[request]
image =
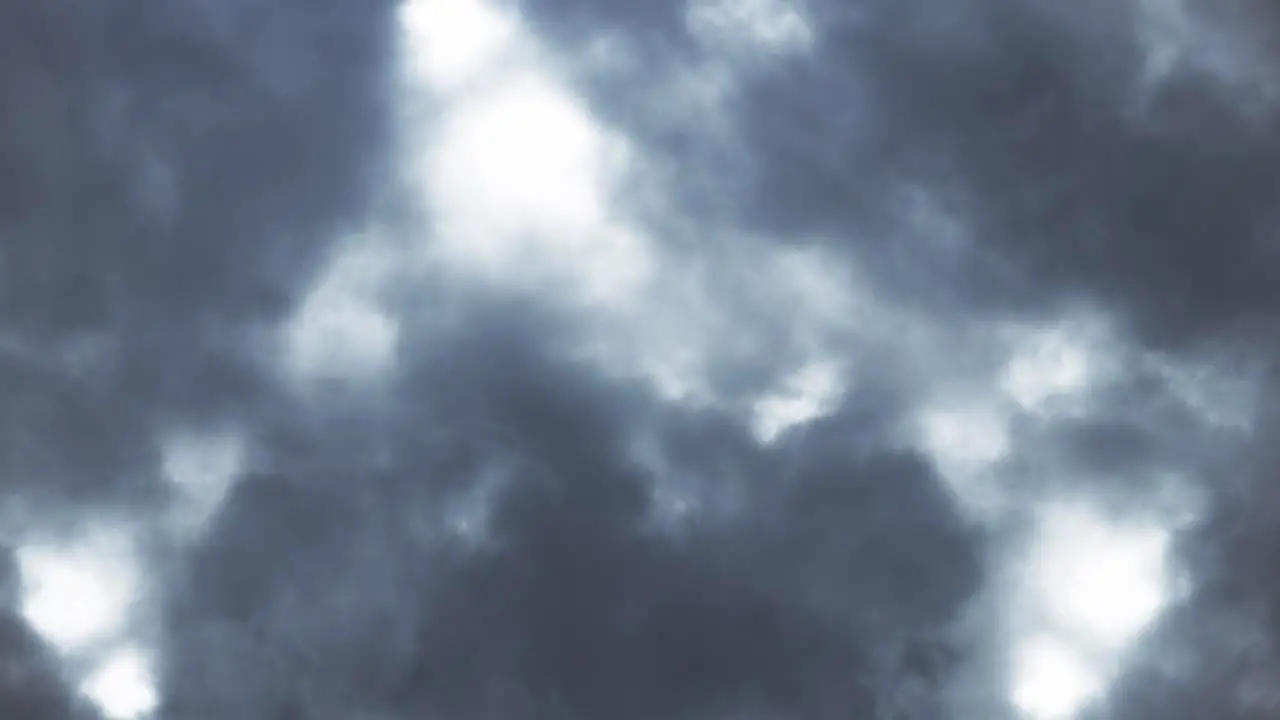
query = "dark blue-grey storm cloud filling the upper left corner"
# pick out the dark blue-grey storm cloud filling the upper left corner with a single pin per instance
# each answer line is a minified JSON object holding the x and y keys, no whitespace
{"x":171,"y":174}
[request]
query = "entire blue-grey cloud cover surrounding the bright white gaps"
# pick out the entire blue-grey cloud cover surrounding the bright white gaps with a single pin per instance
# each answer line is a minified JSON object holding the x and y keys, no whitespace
{"x":497,"y":528}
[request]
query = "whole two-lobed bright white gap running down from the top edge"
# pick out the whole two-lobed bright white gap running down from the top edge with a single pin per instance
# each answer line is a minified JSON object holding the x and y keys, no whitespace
{"x":514,"y":171}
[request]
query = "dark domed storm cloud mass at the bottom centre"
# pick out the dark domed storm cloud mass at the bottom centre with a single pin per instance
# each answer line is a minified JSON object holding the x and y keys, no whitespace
{"x":575,"y":593}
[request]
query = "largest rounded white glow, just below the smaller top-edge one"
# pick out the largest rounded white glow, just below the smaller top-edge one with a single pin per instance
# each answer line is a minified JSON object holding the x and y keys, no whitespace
{"x":519,"y":181}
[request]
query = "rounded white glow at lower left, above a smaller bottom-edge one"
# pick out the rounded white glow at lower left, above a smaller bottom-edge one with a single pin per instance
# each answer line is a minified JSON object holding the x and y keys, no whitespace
{"x":77,"y":595}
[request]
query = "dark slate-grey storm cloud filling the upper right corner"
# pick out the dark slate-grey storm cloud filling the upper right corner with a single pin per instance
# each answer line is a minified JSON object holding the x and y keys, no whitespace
{"x":1069,"y":167}
